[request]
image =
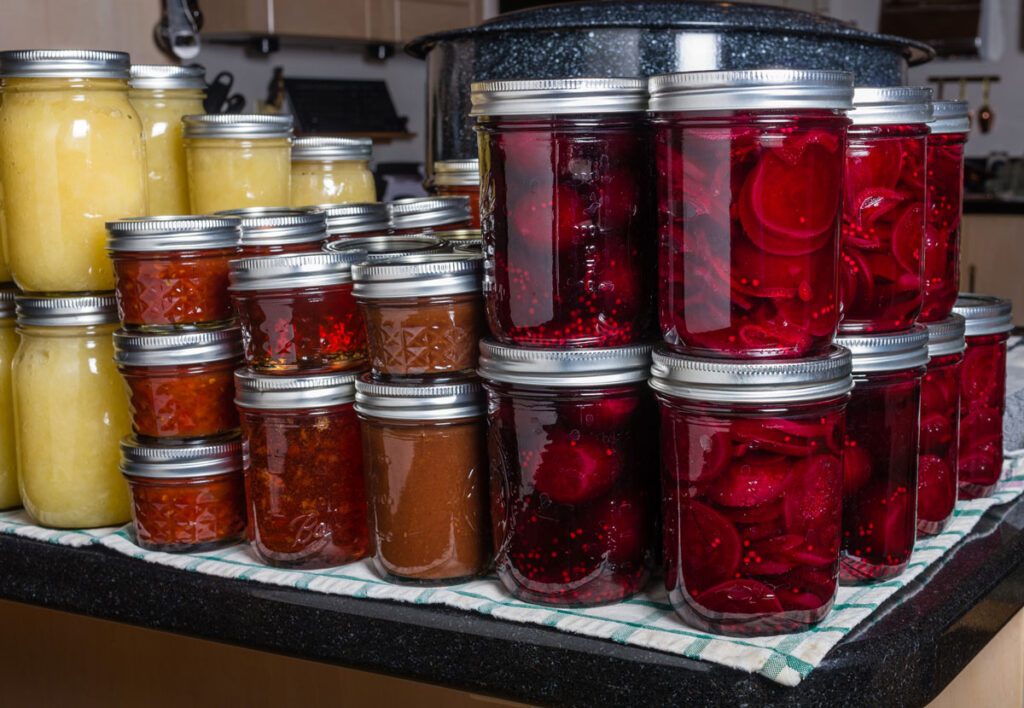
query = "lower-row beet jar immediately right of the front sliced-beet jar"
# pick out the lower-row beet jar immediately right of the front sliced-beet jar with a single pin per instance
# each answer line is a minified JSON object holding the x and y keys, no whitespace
{"x":880,"y":464}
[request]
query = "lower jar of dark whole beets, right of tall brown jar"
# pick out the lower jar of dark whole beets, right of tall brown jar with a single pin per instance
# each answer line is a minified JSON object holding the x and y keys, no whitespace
{"x":574,"y":493}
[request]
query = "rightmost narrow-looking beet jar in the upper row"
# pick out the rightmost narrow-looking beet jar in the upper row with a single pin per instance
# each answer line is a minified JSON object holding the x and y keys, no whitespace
{"x":945,"y":207}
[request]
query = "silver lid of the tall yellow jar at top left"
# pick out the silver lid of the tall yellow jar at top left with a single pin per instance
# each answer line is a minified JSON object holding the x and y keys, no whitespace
{"x":59,"y":64}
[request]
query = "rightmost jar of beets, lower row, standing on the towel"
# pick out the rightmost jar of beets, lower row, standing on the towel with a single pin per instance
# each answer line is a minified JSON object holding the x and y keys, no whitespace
{"x":984,"y":392}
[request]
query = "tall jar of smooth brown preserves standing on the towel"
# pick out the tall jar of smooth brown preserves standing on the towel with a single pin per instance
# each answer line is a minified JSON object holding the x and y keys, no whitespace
{"x":425,"y":454}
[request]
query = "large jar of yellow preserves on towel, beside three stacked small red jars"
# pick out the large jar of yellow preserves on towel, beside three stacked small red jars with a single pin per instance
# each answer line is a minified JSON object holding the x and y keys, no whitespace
{"x":70,"y":412}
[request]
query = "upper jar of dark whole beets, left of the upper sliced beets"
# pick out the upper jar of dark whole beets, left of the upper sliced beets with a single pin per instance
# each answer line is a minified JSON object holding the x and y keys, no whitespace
{"x":564,"y":209}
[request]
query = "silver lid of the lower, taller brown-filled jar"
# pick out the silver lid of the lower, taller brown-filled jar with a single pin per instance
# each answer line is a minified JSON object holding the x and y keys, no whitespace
{"x":398,"y":401}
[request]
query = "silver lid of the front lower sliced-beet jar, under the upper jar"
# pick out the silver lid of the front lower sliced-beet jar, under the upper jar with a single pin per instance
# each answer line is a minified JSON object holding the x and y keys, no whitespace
{"x":752,"y":381}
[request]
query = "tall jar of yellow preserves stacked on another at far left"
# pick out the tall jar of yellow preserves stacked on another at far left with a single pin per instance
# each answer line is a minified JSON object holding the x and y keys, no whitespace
{"x":71,"y":159}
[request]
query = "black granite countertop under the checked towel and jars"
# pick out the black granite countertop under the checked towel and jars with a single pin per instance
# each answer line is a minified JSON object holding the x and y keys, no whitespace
{"x":913,"y":647}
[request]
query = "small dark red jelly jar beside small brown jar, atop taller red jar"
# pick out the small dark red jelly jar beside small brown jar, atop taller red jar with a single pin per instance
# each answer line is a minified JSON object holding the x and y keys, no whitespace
{"x":298,"y":314}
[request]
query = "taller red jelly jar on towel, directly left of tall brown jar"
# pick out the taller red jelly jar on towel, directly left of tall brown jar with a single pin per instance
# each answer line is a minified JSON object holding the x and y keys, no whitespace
{"x":304,"y":465}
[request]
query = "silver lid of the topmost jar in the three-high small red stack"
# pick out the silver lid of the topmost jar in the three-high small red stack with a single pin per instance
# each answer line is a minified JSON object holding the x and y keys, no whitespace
{"x":161,"y":234}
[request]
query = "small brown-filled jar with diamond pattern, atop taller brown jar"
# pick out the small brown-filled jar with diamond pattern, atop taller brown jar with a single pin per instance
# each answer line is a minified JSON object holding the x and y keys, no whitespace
{"x":424,"y":314}
